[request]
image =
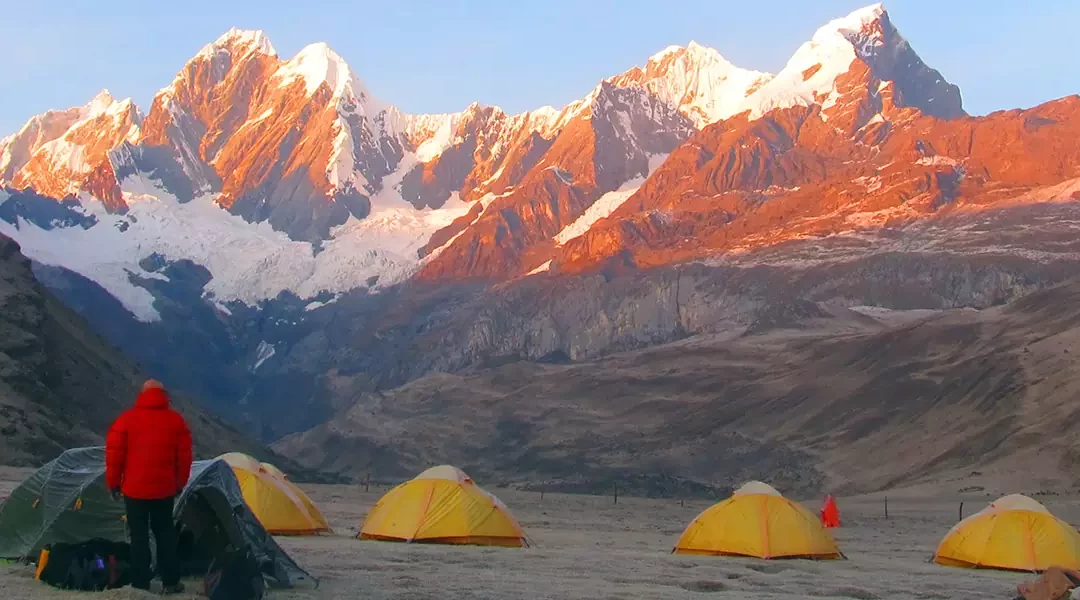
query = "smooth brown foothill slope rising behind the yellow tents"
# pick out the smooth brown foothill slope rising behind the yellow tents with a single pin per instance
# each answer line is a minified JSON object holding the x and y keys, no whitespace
{"x":957,"y":400}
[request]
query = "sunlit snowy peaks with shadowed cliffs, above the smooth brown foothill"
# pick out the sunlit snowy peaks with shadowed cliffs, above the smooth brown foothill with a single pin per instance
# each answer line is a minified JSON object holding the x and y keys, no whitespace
{"x":293,"y":237}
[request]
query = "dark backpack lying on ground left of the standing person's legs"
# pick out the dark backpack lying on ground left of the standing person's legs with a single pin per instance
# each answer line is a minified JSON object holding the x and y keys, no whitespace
{"x":92,"y":566}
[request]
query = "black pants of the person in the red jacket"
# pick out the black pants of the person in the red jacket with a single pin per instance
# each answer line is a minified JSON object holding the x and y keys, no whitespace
{"x":144,"y":516}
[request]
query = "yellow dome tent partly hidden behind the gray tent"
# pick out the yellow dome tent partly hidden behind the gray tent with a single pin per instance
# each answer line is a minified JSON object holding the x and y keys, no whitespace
{"x":281,"y":507}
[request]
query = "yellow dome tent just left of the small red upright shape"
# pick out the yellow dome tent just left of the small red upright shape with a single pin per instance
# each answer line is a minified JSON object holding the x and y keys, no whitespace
{"x":758,"y":522}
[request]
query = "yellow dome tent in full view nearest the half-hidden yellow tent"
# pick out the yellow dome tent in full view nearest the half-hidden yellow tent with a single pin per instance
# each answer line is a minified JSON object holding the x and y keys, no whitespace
{"x":442,"y":506}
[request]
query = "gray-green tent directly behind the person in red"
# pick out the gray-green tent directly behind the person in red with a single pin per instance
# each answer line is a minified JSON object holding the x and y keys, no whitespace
{"x":66,"y":501}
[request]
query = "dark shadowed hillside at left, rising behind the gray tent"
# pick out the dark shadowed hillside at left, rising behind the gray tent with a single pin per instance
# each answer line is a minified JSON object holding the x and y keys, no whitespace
{"x":62,"y":385}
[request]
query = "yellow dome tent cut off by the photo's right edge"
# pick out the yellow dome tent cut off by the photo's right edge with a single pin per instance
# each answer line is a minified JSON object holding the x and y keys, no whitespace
{"x":1015,"y":534}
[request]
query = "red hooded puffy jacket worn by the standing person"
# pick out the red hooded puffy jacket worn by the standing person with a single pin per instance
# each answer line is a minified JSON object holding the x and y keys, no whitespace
{"x":148,"y":449}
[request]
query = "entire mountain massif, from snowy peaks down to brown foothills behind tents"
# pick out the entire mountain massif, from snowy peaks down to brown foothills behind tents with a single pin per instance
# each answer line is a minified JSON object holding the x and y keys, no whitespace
{"x":692,"y":263}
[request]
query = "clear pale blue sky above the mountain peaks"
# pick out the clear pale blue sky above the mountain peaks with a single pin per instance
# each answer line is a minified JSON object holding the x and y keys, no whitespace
{"x":436,"y":57}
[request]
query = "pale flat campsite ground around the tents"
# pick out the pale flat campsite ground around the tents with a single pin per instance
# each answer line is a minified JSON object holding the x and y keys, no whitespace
{"x":589,"y":548}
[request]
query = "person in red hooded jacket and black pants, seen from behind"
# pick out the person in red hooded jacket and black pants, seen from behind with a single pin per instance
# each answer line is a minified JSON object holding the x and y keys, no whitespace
{"x":148,"y":461}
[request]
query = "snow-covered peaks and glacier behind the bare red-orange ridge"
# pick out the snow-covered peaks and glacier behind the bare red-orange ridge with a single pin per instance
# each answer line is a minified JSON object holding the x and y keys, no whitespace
{"x":295,"y":166}
